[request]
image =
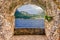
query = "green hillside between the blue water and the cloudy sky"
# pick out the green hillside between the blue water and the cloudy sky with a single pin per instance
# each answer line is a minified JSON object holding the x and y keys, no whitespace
{"x":26,"y":15}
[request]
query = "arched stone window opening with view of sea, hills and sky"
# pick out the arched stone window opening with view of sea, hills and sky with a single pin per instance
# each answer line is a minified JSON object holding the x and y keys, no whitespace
{"x":25,"y":16}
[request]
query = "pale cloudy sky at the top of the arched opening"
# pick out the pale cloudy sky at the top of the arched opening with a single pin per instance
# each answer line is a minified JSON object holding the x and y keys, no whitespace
{"x":31,"y":9}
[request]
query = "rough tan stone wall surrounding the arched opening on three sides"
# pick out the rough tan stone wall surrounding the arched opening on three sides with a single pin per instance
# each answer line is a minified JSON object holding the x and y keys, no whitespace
{"x":8,"y":7}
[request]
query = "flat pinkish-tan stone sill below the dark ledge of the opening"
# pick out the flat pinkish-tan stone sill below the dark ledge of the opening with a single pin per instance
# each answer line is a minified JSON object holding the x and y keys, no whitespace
{"x":30,"y":37}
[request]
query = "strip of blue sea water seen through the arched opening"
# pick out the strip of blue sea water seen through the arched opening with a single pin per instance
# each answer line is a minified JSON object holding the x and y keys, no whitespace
{"x":29,"y":23}
